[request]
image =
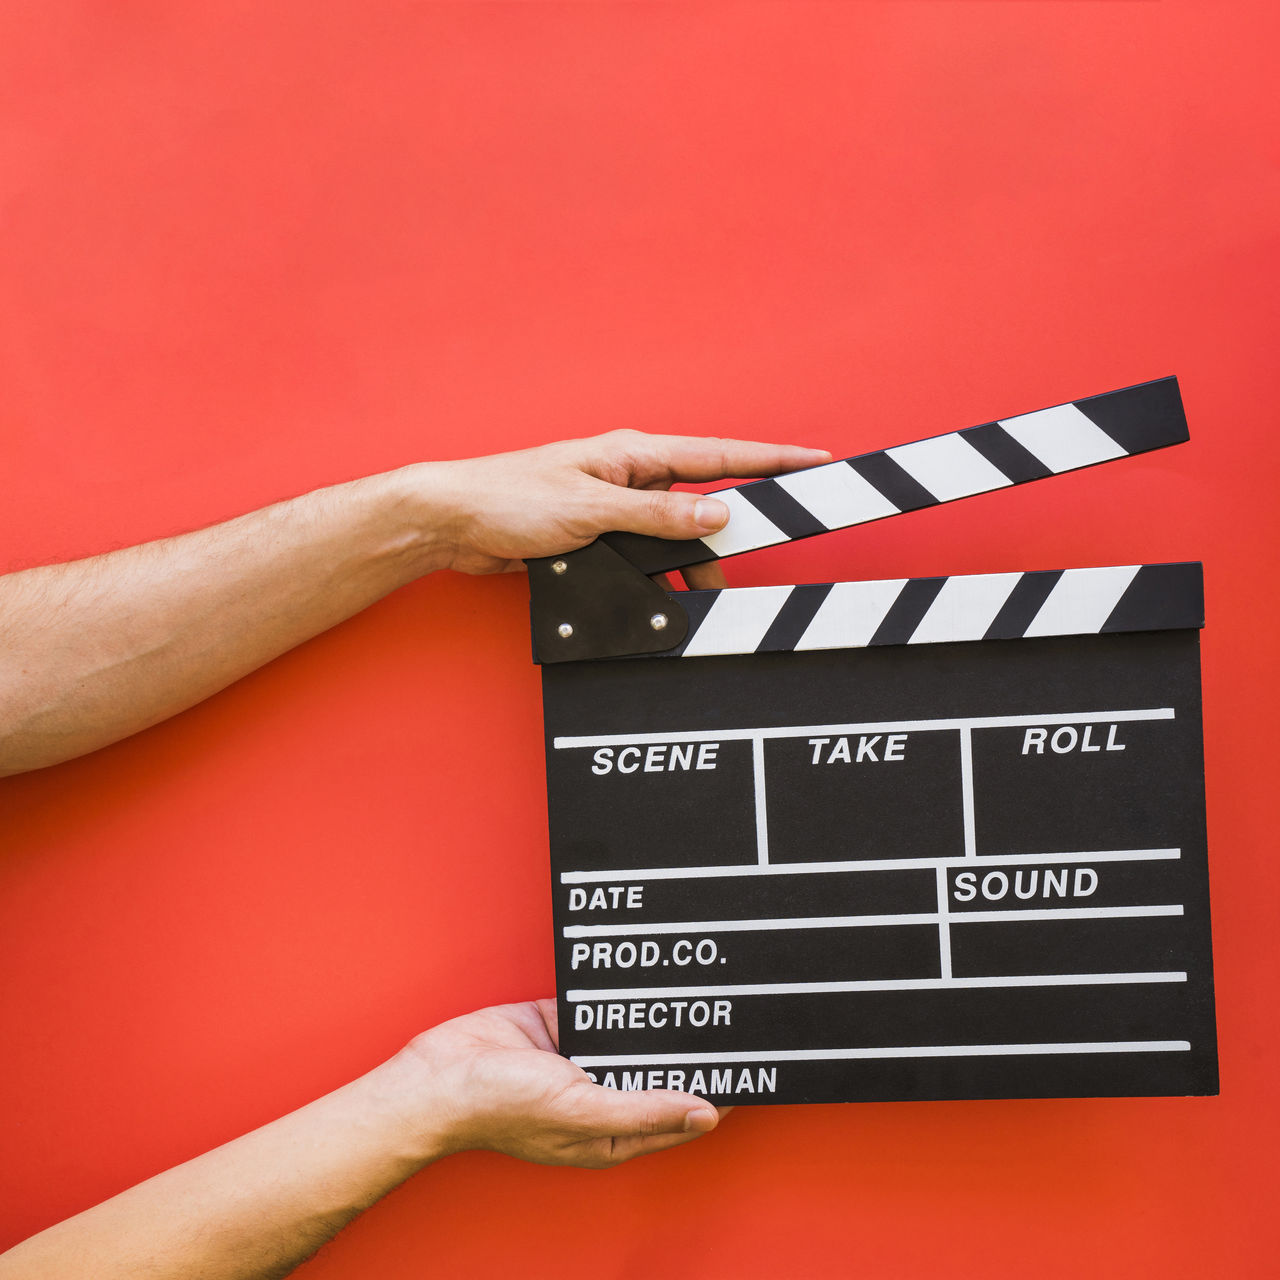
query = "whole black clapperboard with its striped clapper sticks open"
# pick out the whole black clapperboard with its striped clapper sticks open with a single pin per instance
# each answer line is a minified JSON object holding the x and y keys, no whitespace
{"x":927,"y":839}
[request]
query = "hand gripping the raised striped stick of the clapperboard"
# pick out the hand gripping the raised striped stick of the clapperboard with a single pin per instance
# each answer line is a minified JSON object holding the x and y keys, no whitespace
{"x":500,"y":511}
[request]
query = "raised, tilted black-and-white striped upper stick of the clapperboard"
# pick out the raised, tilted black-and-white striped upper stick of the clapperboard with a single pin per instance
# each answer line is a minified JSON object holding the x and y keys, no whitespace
{"x":941,"y":469}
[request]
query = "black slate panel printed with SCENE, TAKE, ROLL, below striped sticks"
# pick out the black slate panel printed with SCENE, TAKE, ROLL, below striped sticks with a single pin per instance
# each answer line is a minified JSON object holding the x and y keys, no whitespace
{"x":870,"y":932}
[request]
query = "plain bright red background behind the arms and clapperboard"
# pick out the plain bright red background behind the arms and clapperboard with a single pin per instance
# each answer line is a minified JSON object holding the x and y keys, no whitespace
{"x":253,"y":249}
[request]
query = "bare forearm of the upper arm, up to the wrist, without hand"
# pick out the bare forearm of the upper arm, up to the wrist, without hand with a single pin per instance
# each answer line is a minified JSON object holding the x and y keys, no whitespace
{"x":98,"y":650}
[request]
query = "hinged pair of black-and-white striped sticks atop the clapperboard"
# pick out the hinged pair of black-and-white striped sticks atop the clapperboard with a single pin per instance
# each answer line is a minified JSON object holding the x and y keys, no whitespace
{"x":600,"y":602}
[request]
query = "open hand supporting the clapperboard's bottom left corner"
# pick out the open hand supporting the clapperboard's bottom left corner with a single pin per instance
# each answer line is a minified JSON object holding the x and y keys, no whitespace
{"x":495,"y":1081}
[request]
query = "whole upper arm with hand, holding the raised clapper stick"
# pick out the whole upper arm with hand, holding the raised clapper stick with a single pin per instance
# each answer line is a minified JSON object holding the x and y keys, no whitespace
{"x":102,"y":648}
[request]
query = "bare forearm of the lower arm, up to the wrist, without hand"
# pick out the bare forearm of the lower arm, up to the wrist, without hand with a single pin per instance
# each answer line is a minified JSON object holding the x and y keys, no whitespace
{"x":254,"y":1209}
